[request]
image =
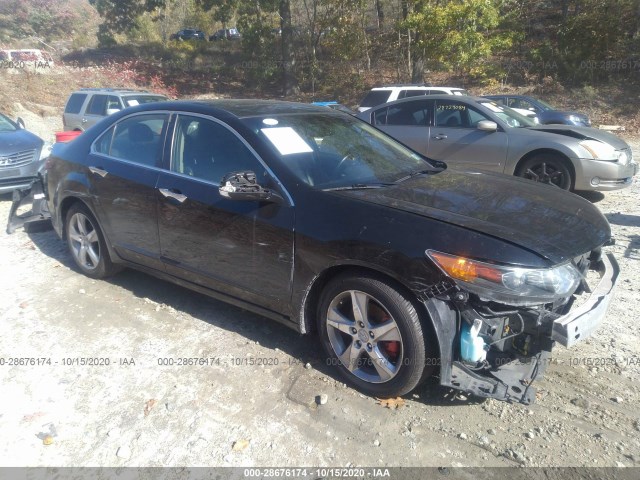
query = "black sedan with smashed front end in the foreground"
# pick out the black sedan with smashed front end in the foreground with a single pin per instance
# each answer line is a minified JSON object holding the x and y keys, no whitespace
{"x":316,"y":219}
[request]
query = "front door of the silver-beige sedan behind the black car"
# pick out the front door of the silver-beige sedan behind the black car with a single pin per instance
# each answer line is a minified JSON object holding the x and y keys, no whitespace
{"x":455,"y":138}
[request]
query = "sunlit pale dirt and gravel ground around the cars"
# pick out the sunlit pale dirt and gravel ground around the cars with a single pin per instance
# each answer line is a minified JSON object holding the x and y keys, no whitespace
{"x":253,"y":400}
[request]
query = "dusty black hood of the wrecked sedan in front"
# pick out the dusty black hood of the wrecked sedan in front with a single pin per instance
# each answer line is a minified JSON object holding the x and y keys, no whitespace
{"x":550,"y":222}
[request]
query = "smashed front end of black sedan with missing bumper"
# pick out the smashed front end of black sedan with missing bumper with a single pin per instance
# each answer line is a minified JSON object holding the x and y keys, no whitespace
{"x":497,"y":324}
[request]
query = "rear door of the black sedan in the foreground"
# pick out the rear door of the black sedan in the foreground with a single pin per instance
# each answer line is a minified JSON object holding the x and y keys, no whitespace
{"x":123,"y":168}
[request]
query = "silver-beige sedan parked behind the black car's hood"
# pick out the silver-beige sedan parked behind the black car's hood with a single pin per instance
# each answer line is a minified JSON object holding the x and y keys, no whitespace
{"x":477,"y":133}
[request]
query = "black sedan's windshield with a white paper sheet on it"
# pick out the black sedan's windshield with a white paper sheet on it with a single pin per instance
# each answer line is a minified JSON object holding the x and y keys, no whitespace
{"x":334,"y":151}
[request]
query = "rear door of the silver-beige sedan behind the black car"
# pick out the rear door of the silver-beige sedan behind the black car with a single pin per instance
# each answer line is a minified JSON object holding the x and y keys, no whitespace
{"x":406,"y":122}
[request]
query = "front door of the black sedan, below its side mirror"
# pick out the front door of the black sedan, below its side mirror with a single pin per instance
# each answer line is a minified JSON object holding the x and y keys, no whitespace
{"x":242,"y":248}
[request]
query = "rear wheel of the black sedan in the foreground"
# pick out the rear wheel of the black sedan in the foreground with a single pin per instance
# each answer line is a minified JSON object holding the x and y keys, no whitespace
{"x":86,"y":243}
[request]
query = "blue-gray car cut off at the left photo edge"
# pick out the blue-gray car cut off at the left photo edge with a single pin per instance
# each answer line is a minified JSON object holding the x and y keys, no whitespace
{"x":21,"y":155}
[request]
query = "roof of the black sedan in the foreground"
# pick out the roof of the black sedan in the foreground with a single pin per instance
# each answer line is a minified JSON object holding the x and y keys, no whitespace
{"x":240,"y":108}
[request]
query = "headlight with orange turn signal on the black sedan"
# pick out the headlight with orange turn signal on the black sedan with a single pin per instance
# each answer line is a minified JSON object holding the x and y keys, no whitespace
{"x":509,"y":283}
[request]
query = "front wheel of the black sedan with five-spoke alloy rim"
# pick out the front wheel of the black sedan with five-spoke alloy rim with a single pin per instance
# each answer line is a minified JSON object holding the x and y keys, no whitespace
{"x":372,"y":333}
